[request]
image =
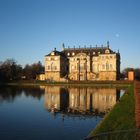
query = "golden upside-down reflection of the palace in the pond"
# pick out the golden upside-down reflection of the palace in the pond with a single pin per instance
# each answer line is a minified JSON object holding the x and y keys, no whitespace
{"x":80,"y":99}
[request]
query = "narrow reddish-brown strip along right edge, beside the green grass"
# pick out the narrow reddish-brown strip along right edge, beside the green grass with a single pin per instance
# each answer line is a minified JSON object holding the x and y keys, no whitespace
{"x":137,"y":102}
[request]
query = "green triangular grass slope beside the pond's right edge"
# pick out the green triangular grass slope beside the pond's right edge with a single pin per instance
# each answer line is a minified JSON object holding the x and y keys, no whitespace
{"x":121,"y":117}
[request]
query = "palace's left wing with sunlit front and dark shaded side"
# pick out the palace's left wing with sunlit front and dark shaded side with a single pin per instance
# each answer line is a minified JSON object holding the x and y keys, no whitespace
{"x":55,"y":66}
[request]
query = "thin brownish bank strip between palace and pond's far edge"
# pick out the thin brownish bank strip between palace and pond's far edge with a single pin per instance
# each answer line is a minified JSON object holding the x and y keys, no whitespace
{"x":120,"y":84}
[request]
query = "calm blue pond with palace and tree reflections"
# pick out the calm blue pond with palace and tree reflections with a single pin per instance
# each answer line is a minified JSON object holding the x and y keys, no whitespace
{"x":52,"y":113}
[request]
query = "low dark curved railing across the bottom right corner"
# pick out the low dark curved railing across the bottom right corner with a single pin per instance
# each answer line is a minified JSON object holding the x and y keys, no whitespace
{"x":133,"y":134}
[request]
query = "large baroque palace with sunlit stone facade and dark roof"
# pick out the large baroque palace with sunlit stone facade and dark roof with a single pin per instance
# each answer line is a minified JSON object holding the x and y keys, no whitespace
{"x":81,"y":64}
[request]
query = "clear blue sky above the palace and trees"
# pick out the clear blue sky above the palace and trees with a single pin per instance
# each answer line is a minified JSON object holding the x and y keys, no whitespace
{"x":30,"y":29}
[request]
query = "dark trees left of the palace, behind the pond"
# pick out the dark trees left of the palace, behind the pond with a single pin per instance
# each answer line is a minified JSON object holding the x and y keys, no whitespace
{"x":10,"y":70}
